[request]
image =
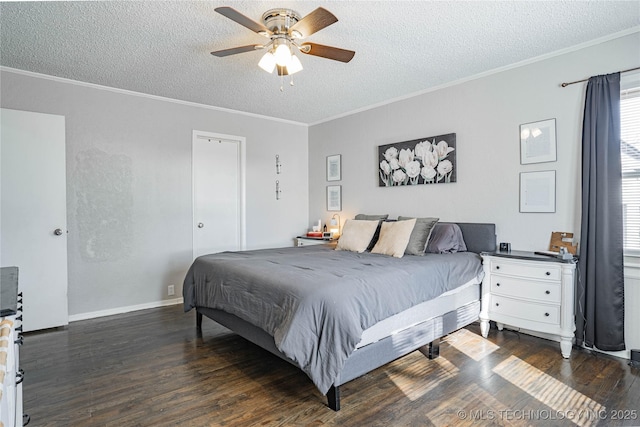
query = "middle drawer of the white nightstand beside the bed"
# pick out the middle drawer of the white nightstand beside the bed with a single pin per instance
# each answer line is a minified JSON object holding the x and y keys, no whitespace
{"x":546,"y":292}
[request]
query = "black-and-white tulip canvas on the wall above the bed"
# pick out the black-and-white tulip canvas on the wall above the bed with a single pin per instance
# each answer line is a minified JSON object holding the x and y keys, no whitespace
{"x":421,"y":161}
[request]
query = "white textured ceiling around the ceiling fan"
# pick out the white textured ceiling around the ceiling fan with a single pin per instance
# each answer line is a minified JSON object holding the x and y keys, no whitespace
{"x":402,"y":47}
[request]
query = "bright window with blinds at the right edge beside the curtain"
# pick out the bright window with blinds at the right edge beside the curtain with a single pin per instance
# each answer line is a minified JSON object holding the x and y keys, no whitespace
{"x":630,"y":158}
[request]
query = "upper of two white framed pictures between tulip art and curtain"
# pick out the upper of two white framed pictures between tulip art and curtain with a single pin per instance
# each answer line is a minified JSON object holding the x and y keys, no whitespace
{"x":538,"y":142}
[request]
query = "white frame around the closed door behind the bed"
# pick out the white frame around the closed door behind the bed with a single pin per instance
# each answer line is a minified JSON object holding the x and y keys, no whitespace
{"x":242,"y":191}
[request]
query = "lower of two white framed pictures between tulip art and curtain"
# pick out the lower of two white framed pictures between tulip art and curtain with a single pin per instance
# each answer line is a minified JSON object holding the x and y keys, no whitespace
{"x":538,"y":191}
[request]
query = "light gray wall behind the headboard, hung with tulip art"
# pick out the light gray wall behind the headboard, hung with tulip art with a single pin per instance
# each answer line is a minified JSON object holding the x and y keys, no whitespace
{"x":485,"y":114}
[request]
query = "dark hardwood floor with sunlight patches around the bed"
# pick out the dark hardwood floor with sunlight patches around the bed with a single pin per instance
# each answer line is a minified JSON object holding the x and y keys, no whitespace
{"x":150,"y":368}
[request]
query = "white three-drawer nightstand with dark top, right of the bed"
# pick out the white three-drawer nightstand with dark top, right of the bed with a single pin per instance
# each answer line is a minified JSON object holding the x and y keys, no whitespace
{"x":529,"y":292}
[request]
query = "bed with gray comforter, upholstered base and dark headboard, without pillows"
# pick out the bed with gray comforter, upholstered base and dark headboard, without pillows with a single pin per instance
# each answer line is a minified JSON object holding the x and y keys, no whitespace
{"x":338,"y":314}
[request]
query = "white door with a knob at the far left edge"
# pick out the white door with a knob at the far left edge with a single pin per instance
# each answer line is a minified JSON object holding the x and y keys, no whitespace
{"x":33,"y":224}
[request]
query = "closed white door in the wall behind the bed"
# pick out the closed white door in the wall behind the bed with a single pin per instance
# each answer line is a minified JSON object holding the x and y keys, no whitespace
{"x":218,"y":188}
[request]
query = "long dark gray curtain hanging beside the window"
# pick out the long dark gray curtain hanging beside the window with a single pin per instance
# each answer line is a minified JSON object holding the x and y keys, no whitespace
{"x":600,"y":293}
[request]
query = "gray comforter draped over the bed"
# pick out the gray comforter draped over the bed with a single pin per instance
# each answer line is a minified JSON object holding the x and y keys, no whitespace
{"x":315,"y":301}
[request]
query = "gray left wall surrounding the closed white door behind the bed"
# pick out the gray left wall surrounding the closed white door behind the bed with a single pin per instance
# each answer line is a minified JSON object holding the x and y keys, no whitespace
{"x":129,"y":186}
